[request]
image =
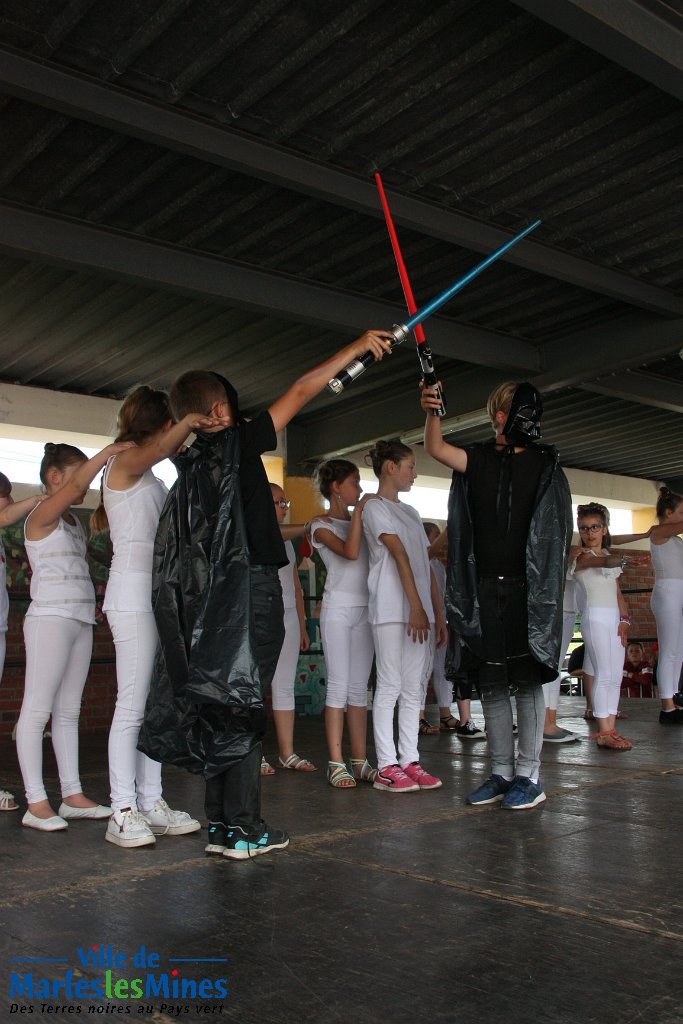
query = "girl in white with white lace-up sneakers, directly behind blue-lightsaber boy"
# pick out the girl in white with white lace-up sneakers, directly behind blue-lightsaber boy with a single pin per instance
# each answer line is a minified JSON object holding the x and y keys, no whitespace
{"x":133,"y":500}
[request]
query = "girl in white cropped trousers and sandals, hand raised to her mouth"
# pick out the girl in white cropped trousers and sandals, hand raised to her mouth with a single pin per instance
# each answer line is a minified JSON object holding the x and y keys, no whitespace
{"x":348,"y":639}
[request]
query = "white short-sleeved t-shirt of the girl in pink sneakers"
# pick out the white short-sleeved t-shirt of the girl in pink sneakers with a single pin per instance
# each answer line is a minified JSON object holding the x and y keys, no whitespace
{"x":388,"y":600}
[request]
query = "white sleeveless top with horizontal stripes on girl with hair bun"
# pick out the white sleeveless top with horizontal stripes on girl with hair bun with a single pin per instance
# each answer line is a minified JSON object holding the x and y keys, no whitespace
{"x":61,"y":583}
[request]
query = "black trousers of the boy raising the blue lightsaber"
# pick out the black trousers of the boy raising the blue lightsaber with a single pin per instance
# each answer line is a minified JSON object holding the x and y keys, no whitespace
{"x":234,"y":798}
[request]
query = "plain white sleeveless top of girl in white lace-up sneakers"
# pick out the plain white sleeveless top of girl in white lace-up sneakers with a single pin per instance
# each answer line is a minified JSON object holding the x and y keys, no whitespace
{"x":134,"y":517}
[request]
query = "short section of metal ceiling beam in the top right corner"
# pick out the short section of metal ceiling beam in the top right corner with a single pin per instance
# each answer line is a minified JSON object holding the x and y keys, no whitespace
{"x":625,"y":31}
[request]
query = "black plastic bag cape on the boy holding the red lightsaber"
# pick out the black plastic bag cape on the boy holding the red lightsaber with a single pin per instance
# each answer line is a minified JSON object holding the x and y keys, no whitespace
{"x":547,"y":549}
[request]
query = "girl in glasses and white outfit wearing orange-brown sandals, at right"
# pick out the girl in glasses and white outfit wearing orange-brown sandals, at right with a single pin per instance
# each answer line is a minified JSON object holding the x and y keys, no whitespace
{"x":605,"y":620}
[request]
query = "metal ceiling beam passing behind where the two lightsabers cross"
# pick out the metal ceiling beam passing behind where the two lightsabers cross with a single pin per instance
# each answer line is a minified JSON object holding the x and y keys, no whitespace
{"x":28,"y":234}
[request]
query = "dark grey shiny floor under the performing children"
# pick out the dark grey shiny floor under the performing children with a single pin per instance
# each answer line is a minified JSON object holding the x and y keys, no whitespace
{"x":385,"y":909}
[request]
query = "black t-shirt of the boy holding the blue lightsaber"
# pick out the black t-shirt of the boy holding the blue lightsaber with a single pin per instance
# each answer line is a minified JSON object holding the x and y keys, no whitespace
{"x":266,"y":543}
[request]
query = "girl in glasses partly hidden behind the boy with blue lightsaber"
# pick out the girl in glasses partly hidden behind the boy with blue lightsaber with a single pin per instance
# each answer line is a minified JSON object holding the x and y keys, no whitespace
{"x":296,"y":639}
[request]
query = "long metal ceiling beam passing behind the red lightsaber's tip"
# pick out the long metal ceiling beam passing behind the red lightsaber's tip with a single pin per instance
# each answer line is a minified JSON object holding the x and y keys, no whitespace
{"x":89,"y":99}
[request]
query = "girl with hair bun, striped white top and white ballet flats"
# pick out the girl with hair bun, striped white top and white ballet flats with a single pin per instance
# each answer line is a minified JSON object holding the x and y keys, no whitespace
{"x":58,"y":633}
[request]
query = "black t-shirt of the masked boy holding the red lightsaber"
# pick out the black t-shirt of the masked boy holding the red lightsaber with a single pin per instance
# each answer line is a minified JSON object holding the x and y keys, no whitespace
{"x":503,"y":489}
